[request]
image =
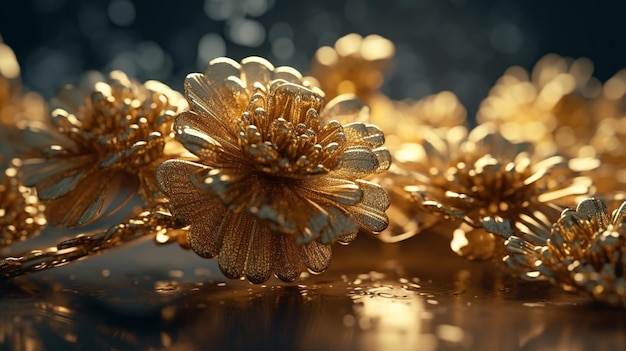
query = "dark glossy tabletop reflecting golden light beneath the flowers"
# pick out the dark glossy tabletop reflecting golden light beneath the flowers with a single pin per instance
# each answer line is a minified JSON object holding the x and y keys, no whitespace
{"x":415,"y":295}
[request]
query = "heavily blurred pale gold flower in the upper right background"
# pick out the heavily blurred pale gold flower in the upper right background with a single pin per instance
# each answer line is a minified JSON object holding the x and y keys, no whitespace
{"x":534,"y":108}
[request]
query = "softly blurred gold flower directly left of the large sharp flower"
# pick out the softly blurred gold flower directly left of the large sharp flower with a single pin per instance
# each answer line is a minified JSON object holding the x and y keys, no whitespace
{"x":106,"y":135}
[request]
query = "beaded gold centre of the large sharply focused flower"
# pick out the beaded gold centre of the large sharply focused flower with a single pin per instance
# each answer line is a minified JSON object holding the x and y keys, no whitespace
{"x":280,"y":133}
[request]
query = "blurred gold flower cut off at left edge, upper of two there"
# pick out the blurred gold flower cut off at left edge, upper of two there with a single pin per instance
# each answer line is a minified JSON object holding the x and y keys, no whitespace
{"x":16,"y":107}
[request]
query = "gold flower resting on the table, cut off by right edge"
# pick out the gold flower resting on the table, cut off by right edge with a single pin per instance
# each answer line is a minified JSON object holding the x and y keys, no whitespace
{"x":585,"y":250}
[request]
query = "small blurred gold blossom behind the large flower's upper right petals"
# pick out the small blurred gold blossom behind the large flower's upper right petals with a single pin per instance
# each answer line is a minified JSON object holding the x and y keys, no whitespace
{"x":355,"y":65}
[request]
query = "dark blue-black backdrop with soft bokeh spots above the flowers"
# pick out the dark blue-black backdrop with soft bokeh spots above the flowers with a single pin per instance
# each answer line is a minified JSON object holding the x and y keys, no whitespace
{"x":458,"y":45}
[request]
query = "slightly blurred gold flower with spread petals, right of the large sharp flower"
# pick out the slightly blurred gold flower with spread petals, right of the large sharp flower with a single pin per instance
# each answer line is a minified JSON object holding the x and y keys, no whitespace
{"x":485,"y":183}
